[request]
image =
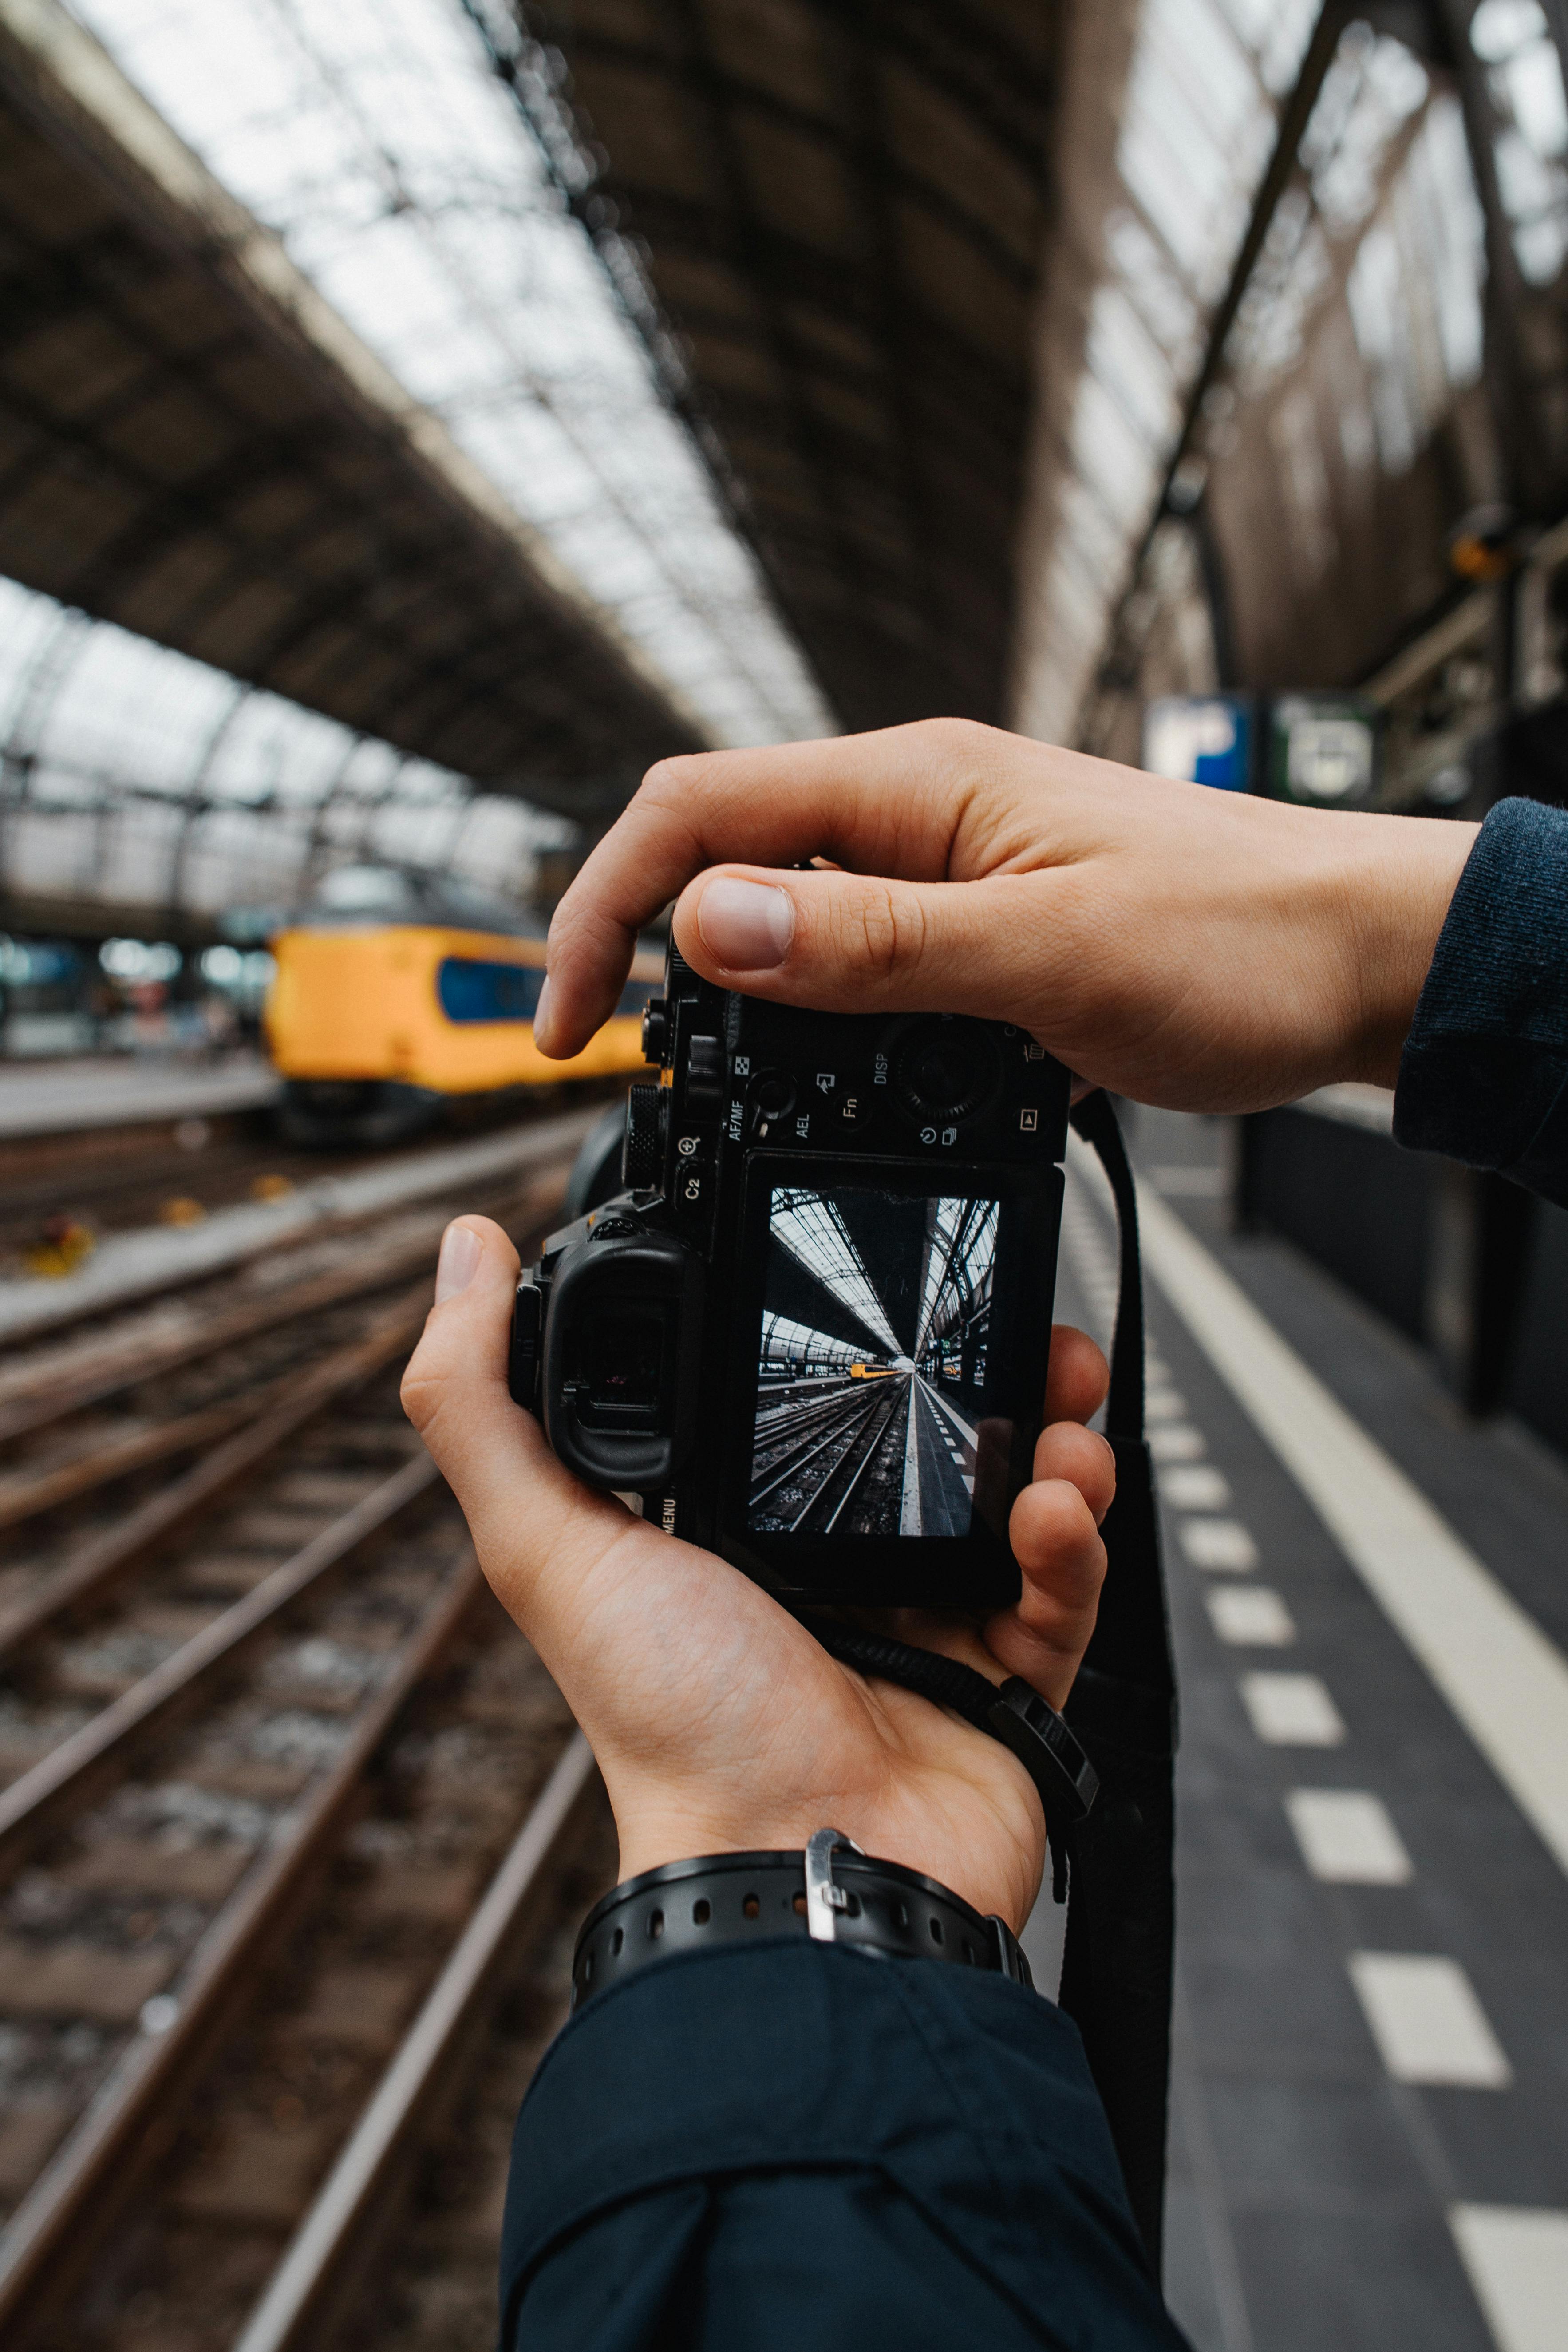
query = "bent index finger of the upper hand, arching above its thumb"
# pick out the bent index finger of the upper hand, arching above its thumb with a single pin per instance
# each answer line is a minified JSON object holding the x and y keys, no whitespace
{"x":899,"y":803}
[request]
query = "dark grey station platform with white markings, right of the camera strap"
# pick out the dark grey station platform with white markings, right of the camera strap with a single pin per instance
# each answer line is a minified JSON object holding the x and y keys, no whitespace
{"x":1372,"y":1622}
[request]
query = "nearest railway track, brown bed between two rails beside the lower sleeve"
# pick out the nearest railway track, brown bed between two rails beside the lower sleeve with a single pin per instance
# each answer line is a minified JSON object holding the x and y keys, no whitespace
{"x":326,"y":2010}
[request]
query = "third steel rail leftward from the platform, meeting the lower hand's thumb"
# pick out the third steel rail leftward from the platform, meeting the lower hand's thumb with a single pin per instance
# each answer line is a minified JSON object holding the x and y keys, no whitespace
{"x":74,"y":1772}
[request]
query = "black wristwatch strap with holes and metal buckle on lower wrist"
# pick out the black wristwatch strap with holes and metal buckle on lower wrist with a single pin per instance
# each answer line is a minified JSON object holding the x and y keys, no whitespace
{"x":829,"y":1895}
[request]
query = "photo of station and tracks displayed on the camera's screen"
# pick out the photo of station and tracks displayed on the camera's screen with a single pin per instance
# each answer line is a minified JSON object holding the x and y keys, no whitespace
{"x":871,"y":1370}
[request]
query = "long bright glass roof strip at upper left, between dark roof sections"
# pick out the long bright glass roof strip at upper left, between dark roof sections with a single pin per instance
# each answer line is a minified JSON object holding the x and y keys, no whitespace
{"x":403,"y":182}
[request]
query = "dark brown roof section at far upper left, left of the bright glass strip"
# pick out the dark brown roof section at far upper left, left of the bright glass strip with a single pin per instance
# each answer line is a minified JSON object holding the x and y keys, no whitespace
{"x":201,"y":453}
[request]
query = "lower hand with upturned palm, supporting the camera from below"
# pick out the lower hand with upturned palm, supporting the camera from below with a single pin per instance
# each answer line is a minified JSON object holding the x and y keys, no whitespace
{"x":718,"y":1723}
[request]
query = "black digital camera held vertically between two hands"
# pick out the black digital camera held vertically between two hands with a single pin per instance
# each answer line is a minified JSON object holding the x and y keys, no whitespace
{"x":812,"y":1330}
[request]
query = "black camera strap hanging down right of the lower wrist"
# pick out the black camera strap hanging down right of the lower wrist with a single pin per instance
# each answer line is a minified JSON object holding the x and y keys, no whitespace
{"x":1106,"y":1768}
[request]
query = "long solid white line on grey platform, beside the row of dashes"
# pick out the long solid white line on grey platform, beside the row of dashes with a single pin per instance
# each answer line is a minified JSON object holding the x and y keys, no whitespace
{"x":1489,"y":1659}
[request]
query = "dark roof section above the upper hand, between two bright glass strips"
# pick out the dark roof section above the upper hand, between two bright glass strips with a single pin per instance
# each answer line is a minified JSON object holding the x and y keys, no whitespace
{"x":845,"y":215}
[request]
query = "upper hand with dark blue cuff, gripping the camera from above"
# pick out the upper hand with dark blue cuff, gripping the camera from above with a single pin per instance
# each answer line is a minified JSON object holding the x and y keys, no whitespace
{"x":1207,"y":951}
